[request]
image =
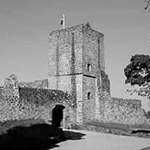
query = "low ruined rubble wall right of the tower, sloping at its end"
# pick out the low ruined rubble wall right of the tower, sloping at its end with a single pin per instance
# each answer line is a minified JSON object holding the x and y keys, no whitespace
{"x":125,"y":111}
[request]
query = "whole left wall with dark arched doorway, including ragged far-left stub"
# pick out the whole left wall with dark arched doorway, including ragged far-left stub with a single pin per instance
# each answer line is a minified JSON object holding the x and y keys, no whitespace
{"x":33,"y":103}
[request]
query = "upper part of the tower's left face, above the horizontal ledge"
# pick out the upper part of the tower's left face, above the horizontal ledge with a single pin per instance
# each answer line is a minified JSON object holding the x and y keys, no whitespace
{"x":65,"y":50}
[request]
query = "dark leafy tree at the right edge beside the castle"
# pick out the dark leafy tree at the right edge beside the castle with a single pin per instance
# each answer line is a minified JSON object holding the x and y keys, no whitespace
{"x":138,"y":73}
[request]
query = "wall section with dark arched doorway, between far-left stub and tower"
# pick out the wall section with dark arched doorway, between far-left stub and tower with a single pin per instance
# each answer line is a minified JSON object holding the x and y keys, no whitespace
{"x":38,"y":103}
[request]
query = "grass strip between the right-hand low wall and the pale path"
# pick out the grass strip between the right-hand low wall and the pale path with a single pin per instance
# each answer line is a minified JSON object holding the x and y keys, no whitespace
{"x":119,"y":129}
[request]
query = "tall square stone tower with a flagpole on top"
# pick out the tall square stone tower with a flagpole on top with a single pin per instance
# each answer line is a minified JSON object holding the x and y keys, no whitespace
{"x":76,"y":59}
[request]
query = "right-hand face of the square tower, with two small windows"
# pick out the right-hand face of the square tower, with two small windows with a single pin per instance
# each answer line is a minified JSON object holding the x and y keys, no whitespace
{"x":93,"y":63}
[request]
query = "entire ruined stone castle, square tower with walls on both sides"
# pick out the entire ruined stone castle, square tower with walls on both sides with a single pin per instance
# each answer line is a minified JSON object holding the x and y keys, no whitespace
{"x":76,"y":80}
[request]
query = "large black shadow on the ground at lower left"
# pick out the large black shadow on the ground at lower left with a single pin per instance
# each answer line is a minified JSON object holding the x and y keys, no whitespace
{"x":35,"y":137}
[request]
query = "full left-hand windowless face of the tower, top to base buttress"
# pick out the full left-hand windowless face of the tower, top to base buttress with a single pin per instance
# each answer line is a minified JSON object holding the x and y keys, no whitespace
{"x":65,"y":64}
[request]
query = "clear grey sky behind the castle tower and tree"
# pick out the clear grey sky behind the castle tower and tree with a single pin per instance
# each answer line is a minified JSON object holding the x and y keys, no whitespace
{"x":25,"y":26}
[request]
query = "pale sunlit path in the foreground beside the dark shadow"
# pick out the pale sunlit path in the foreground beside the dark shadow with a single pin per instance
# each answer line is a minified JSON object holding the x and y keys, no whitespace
{"x":86,"y":140}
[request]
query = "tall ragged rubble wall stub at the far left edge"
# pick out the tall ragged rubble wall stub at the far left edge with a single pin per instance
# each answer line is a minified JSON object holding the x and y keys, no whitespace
{"x":9,"y":99}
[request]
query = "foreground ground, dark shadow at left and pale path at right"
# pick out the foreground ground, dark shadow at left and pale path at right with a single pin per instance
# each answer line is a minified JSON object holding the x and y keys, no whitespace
{"x":37,"y":135}
